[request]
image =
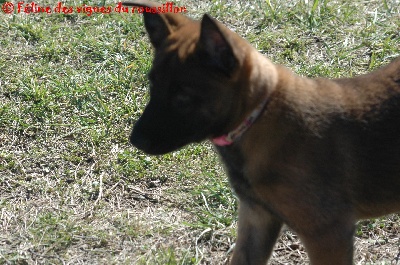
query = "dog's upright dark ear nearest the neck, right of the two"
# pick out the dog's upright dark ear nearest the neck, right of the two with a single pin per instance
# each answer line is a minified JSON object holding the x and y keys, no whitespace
{"x":216,"y":45}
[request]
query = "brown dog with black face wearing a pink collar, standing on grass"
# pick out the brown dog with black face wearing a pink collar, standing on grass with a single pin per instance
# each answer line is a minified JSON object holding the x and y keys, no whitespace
{"x":315,"y":154}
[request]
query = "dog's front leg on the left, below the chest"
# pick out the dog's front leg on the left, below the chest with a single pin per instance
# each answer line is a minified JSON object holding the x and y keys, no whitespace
{"x":257,"y":232}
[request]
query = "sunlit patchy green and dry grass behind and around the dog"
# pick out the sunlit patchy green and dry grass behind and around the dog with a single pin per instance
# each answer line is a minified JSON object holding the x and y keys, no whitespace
{"x":73,"y":190}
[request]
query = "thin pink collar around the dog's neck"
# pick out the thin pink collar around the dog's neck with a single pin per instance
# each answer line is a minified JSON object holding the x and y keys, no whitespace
{"x":229,"y":138}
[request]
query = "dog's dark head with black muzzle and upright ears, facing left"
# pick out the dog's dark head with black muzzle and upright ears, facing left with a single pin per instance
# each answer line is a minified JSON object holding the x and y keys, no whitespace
{"x":194,"y":81}
